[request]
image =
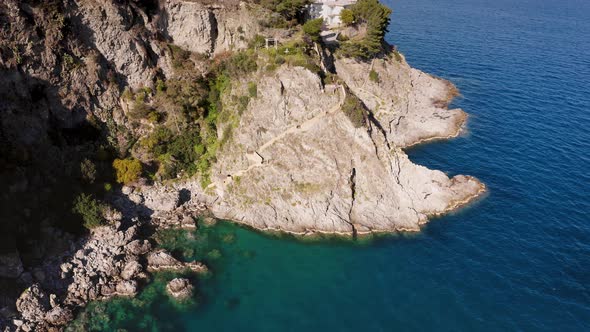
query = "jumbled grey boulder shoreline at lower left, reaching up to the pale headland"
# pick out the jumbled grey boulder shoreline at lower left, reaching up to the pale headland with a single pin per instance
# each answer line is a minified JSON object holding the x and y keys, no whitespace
{"x":113,"y":261}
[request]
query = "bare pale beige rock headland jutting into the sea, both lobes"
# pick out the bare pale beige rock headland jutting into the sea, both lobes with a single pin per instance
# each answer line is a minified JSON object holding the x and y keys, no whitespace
{"x":298,"y":164}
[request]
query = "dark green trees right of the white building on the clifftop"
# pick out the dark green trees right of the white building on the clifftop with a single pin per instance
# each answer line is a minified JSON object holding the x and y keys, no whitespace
{"x":376,"y":16}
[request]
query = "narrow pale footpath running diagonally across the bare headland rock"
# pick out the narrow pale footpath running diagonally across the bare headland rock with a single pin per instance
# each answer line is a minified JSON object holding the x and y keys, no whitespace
{"x":257,"y":158}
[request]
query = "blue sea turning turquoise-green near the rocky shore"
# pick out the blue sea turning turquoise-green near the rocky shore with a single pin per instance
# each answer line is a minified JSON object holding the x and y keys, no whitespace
{"x":516,"y":260}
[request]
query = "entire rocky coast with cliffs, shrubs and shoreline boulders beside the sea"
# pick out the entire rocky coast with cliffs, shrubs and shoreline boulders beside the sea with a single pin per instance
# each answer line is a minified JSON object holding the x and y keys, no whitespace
{"x":162,"y":116}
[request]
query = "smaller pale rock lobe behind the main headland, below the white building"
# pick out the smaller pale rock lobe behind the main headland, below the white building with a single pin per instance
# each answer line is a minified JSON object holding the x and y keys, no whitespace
{"x":410,"y":105}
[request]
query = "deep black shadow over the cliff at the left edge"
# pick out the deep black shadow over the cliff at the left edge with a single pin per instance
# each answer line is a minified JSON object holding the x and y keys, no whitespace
{"x":43,"y":145}
